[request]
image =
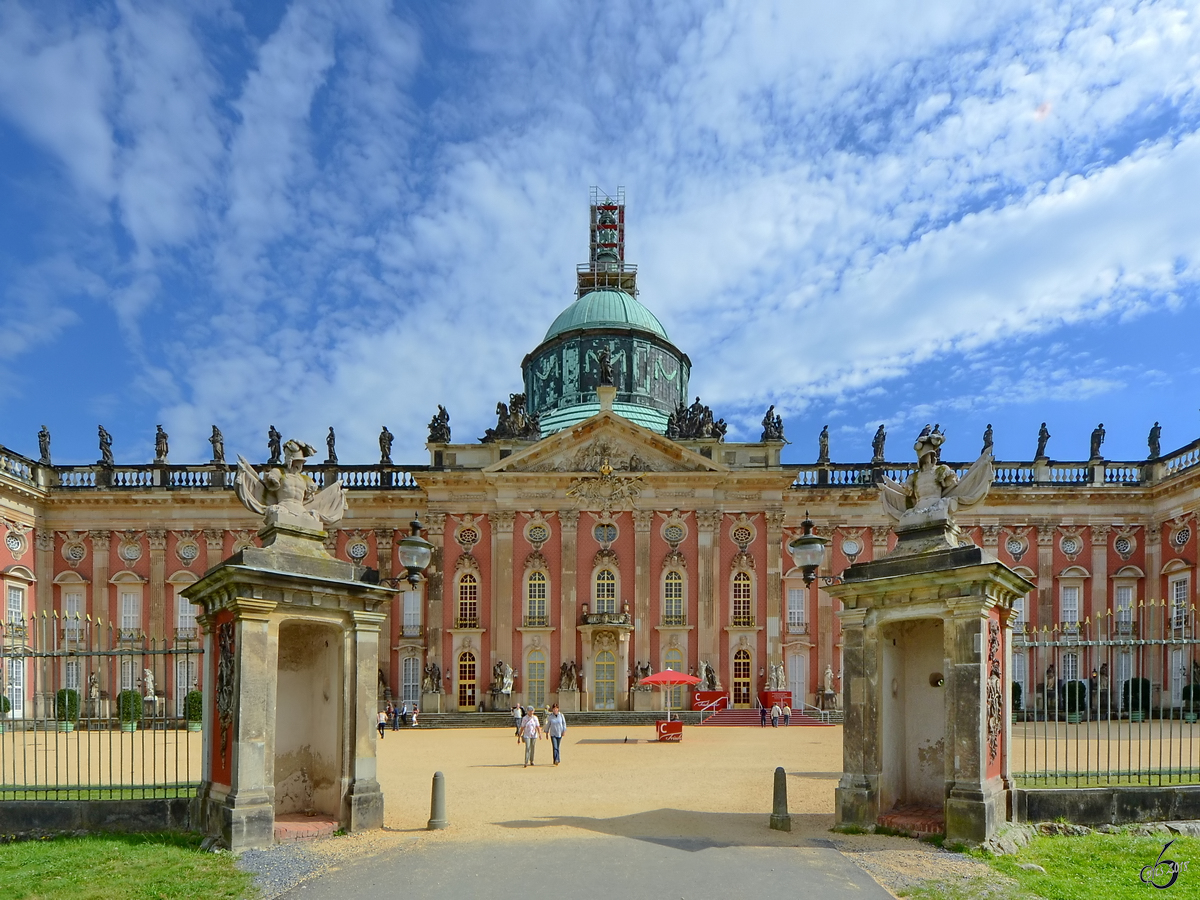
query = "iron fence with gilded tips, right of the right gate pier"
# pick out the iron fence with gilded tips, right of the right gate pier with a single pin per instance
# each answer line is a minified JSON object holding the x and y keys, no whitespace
{"x":1108,"y":703}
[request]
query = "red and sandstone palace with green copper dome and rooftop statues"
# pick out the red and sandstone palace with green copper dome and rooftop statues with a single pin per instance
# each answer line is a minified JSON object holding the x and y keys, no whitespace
{"x":604,"y":523}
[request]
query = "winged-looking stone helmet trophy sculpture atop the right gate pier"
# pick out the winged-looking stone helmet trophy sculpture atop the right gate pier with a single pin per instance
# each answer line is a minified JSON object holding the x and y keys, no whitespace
{"x":933,"y":494}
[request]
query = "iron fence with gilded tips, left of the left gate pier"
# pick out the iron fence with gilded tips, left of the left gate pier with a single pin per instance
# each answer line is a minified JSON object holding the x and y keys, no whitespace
{"x":93,"y":711}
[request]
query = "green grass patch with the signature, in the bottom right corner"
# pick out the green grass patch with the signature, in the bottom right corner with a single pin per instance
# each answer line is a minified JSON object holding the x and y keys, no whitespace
{"x":1084,"y":868}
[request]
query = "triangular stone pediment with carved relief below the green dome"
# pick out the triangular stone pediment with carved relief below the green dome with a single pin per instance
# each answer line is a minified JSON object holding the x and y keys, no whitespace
{"x":607,"y":440}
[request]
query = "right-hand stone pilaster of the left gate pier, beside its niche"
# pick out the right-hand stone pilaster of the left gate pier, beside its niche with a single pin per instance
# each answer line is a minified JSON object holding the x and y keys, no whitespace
{"x":364,"y":796}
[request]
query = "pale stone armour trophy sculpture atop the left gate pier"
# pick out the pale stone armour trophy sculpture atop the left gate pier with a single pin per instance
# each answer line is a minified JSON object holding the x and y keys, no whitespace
{"x":289,"y":497}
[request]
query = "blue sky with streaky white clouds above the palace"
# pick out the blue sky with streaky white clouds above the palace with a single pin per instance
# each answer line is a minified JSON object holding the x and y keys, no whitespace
{"x":313,"y":214}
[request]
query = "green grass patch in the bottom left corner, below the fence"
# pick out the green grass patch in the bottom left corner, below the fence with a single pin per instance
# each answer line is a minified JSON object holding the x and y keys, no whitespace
{"x":121,"y":867}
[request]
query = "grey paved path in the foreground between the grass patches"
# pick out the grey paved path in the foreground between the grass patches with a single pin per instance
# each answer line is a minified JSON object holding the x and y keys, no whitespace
{"x":603,"y":868}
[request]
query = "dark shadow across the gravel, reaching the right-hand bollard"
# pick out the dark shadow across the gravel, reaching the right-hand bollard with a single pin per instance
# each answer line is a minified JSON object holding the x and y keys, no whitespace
{"x":692,"y":831}
